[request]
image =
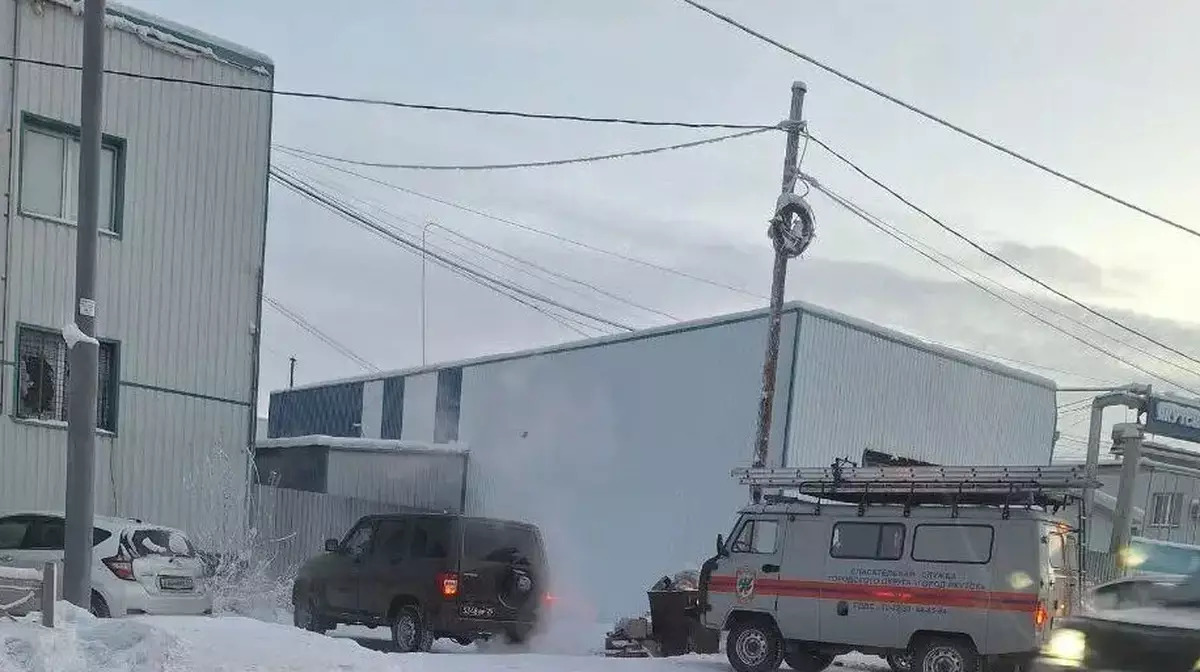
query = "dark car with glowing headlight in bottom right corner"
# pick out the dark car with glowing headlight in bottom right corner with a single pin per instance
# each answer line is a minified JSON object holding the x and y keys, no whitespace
{"x":1161,"y":635}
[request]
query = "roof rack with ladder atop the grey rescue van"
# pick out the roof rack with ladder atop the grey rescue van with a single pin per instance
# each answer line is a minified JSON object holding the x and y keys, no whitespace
{"x":1051,"y":487}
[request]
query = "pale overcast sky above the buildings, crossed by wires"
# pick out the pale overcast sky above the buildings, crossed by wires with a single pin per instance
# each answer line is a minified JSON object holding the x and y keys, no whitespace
{"x":1094,"y":88}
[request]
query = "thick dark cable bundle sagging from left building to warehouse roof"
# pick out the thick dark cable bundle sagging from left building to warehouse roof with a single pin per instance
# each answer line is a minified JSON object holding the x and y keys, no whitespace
{"x":481,"y":278}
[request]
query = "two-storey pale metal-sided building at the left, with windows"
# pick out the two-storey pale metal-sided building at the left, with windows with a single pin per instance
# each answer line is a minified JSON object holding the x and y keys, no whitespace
{"x":181,"y":260}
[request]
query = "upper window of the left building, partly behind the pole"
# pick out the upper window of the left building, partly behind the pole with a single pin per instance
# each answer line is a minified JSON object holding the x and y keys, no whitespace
{"x":50,"y":173}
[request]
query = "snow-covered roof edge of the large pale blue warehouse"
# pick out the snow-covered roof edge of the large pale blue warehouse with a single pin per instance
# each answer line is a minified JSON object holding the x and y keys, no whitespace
{"x":691,"y":326}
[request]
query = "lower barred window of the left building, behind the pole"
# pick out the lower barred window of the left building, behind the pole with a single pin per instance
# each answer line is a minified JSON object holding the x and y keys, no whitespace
{"x":43,"y":376}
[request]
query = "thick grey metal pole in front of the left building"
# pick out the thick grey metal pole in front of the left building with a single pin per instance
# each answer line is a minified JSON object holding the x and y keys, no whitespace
{"x":85,"y":355}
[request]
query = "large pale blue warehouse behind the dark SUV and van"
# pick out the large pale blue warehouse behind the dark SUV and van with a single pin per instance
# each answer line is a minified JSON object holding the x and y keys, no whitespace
{"x":621,"y":448}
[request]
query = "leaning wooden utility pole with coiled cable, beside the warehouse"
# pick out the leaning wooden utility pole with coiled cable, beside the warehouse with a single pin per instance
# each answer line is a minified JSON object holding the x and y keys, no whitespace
{"x":779,"y":279}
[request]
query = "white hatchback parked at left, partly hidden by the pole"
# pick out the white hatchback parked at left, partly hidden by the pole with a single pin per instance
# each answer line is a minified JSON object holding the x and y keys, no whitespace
{"x":137,"y":568}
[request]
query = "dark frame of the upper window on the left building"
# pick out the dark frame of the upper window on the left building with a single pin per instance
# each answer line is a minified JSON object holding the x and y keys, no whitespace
{"x":55,"y":128}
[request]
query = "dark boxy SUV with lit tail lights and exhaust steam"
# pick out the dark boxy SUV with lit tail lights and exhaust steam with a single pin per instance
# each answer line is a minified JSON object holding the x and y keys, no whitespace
{"x":428,"y":577}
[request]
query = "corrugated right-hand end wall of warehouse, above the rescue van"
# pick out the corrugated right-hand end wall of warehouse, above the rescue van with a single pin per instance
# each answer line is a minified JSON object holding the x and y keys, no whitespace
{"x":857,"y":389}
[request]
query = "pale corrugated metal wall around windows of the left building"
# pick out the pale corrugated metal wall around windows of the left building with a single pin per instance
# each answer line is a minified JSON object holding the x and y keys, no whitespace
{"x":178,"y":289}
